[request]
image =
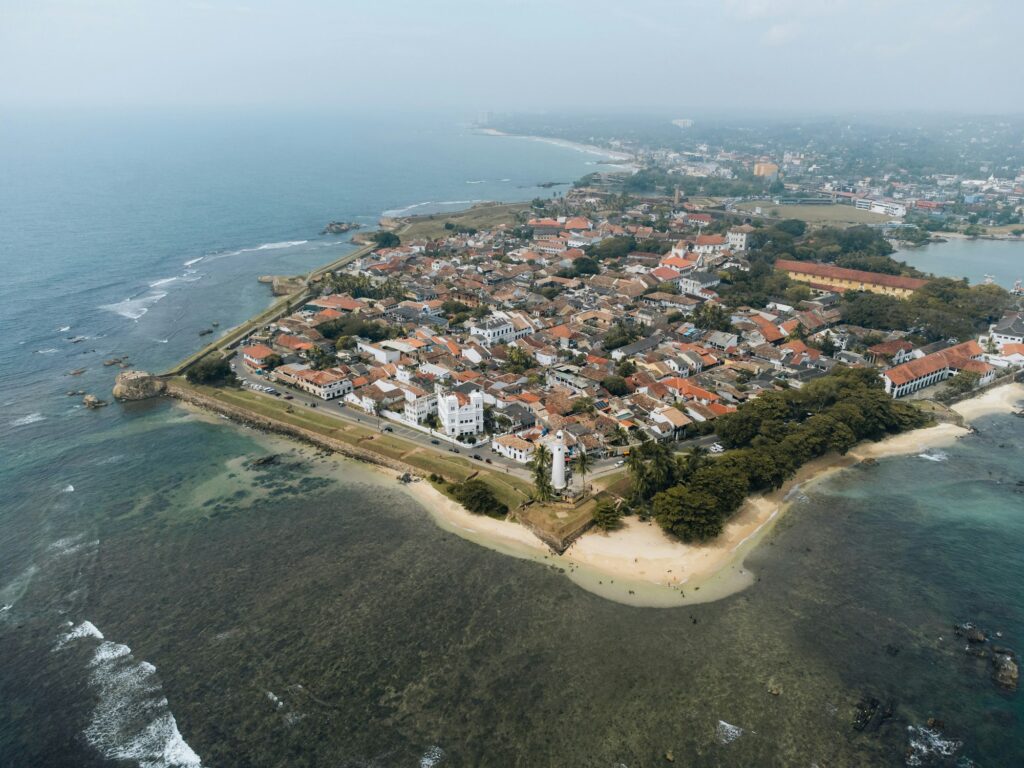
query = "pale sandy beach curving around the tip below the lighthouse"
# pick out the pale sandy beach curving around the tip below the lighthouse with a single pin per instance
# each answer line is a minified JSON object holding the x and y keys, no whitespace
{"x":642,"y":566}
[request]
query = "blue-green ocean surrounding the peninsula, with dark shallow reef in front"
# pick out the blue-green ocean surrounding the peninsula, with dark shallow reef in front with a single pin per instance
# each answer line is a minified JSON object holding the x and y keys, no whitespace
{"x":166,"y":603}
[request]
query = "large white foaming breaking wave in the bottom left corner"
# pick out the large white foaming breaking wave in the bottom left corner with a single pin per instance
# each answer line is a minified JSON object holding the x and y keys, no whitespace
{"x":133,"y":719}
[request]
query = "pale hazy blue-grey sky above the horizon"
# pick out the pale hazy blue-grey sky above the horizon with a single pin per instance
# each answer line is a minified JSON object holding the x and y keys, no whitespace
{"x":961,"y":56}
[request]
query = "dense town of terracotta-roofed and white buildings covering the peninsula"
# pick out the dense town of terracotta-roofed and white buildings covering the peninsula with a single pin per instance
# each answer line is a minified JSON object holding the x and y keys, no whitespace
{"x":507,"y":336}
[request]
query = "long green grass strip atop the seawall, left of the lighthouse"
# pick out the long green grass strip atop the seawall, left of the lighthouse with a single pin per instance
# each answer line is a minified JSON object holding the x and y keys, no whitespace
{"x":511,"y":490}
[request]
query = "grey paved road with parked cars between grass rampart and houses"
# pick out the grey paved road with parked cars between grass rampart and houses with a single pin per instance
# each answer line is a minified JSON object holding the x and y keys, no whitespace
{"x":339,"y":410}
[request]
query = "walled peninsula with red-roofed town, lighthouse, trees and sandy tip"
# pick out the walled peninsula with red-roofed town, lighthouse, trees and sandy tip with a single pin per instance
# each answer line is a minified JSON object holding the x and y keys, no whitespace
{"x":628,"y":393}
